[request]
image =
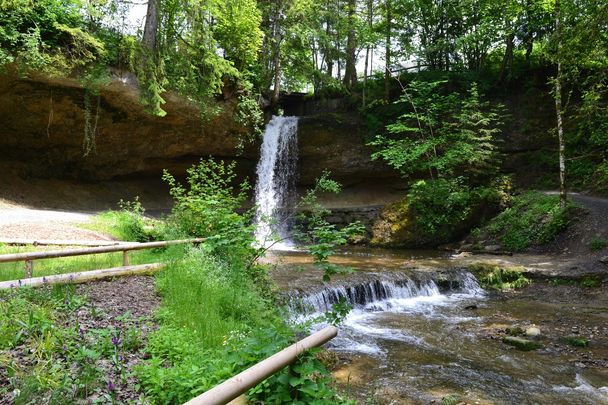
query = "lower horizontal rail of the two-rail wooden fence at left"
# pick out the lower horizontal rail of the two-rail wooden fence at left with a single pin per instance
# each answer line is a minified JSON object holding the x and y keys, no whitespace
{"x":84,"y":276}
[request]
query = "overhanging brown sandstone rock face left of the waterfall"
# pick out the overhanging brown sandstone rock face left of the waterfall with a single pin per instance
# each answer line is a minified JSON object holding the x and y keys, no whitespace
{"x":43,"y":121}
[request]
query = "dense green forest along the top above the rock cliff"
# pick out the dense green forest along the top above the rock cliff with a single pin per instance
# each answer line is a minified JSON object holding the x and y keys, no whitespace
{"x":385,"y":57}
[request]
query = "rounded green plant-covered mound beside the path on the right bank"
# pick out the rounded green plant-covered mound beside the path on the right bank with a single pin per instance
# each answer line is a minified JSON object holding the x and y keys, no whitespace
{"x":532,"y":219}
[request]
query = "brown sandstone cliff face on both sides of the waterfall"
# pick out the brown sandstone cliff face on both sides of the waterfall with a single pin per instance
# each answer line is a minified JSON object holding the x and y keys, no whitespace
{"x":42,"y":125}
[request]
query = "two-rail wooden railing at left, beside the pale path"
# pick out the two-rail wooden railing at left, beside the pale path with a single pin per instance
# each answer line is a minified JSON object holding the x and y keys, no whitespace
{"x":125,"y":248}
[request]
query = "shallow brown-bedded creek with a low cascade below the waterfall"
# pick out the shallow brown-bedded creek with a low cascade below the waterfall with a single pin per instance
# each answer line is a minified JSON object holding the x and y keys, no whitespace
{"x":422,"y":329}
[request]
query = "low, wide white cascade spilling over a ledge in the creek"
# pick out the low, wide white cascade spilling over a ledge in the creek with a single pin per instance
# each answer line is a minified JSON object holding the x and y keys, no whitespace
{"x":401,"y":296}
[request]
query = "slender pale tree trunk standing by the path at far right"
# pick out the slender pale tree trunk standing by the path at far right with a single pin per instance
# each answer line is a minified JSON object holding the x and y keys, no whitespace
{"x":558,"y":110}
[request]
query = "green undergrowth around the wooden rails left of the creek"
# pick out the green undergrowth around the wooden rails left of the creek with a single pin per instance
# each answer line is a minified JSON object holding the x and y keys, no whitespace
{"x":220,"y":313}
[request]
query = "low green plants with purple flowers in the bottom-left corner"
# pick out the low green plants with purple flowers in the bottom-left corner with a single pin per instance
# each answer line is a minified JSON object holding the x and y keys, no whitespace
{"x":49,"y":357}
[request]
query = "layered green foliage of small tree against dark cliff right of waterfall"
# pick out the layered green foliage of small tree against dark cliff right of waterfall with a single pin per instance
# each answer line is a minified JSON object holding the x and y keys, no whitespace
{"x":442,"y":134}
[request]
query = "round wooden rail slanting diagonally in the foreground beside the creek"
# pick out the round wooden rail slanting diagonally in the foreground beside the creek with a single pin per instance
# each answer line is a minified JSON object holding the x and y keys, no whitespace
{"x":239,"y":384}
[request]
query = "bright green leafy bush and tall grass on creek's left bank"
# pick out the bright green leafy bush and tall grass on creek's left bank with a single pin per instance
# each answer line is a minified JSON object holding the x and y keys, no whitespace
{"x":218,"y":314}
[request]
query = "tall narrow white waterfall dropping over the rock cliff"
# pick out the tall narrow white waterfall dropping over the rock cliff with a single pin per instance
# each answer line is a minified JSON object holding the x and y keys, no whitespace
{"x":275,"y":186}
